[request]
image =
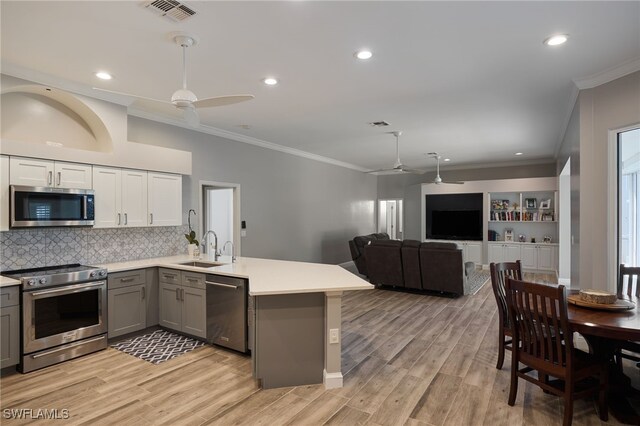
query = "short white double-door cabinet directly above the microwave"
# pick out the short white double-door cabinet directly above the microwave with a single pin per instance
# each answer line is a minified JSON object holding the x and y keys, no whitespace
{"x":32,"y":172}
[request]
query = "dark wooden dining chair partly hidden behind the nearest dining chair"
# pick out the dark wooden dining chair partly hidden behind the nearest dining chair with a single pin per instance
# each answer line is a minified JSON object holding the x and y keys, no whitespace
{"x":499,"y":271}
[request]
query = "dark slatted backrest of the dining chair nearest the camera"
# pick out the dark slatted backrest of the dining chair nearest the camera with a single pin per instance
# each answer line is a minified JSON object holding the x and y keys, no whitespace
{"x":540,"y":325}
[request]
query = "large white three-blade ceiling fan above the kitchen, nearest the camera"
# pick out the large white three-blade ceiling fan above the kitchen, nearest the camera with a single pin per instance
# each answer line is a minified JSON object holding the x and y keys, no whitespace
{"x":183,"y":98}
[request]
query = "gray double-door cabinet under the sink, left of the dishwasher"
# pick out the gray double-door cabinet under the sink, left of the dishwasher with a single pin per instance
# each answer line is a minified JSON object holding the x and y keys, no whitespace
{"x":183,"y":302}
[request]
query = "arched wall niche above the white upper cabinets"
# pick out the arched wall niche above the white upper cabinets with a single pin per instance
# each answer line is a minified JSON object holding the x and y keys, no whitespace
{"x":48,"y":116}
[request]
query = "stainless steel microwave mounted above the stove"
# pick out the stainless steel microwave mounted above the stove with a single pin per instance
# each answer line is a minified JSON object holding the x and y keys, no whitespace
{"x":34,"y":206}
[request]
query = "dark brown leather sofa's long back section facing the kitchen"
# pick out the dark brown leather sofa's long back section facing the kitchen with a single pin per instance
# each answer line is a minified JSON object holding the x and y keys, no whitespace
{"x":410,"y":264}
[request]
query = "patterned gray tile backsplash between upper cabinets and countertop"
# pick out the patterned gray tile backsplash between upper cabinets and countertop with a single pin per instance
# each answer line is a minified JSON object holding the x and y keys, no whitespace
{"x":32,"y":248}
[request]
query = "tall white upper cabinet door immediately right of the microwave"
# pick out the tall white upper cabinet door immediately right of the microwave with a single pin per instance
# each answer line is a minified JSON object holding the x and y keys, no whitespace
{"x":107,"y":184}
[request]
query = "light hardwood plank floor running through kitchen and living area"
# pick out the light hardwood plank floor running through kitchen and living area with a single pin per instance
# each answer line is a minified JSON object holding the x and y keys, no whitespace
{"x":408,"y":360}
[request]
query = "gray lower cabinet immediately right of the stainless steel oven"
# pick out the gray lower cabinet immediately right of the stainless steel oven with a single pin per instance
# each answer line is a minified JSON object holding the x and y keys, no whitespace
{"x":127,"y":302}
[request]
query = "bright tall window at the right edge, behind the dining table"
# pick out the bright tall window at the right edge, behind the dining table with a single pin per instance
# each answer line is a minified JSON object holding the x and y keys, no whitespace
{"x":629,"y":197}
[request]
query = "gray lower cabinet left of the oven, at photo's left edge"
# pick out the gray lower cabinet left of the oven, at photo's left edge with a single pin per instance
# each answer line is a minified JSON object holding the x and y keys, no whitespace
{"x":9,"y":326}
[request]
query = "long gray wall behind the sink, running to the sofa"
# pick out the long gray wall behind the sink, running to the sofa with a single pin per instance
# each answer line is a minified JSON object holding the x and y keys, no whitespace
{"x":295,"y":208}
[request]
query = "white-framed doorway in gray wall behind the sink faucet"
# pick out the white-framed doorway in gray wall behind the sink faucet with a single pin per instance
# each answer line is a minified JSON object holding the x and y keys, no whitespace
{"x":220,"y":207}
